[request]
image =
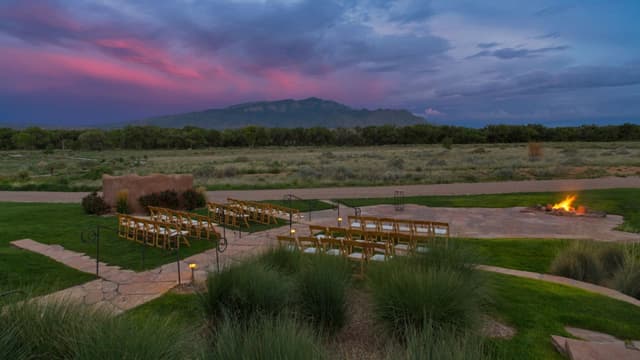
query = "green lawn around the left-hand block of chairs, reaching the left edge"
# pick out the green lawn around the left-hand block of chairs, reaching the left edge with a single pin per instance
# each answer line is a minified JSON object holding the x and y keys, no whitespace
{"x":63,"y":223}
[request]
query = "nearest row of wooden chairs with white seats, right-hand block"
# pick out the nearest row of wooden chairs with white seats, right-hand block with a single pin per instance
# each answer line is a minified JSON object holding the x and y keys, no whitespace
{"x":358,"y":251}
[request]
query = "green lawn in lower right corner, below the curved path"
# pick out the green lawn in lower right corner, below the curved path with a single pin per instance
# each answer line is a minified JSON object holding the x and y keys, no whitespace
{"x":538,"y":310}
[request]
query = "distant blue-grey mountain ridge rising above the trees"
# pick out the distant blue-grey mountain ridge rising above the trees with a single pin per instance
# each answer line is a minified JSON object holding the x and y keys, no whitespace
{"x":310,"y":112}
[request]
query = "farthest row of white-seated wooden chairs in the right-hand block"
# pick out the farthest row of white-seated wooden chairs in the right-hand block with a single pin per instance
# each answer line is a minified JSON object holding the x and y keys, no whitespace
{"x":414,"y":227}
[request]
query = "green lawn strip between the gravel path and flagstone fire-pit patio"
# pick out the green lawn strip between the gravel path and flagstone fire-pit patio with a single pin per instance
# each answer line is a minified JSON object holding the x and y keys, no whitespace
{"x":615,"y":201}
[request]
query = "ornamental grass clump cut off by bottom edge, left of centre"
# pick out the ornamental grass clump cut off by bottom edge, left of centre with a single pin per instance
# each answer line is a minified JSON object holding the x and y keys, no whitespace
{"x":265,"y":338}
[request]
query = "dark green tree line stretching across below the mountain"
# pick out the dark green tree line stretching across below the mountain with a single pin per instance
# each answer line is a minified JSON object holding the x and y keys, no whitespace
{"x":152,"y":137}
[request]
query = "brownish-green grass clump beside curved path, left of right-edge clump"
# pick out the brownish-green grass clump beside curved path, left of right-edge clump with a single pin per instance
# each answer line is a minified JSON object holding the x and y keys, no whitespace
{"x":579,"y":262}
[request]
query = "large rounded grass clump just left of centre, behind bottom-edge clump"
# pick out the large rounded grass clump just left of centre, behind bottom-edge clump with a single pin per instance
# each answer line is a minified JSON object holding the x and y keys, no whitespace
{"x":244,"y":290}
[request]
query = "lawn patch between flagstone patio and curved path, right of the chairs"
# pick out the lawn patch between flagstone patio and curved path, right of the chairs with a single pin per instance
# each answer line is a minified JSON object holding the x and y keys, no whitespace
{"x":522,"y":254}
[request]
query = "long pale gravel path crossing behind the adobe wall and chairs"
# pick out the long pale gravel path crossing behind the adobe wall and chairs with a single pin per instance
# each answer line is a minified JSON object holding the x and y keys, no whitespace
{"x":368,"y":191}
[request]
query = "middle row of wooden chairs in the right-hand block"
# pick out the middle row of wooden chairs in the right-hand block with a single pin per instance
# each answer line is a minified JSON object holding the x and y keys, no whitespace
{"x":407,"y":243}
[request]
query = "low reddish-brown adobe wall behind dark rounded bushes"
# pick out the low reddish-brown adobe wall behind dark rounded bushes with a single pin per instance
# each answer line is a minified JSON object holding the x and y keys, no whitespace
{"x":142,"y":185}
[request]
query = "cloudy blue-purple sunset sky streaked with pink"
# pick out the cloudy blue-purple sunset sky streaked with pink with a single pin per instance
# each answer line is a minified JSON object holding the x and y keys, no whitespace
{"x":462,"y":62}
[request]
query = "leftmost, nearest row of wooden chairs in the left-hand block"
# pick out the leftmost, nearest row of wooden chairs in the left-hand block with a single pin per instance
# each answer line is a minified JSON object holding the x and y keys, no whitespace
{"x":151,"y":232}
